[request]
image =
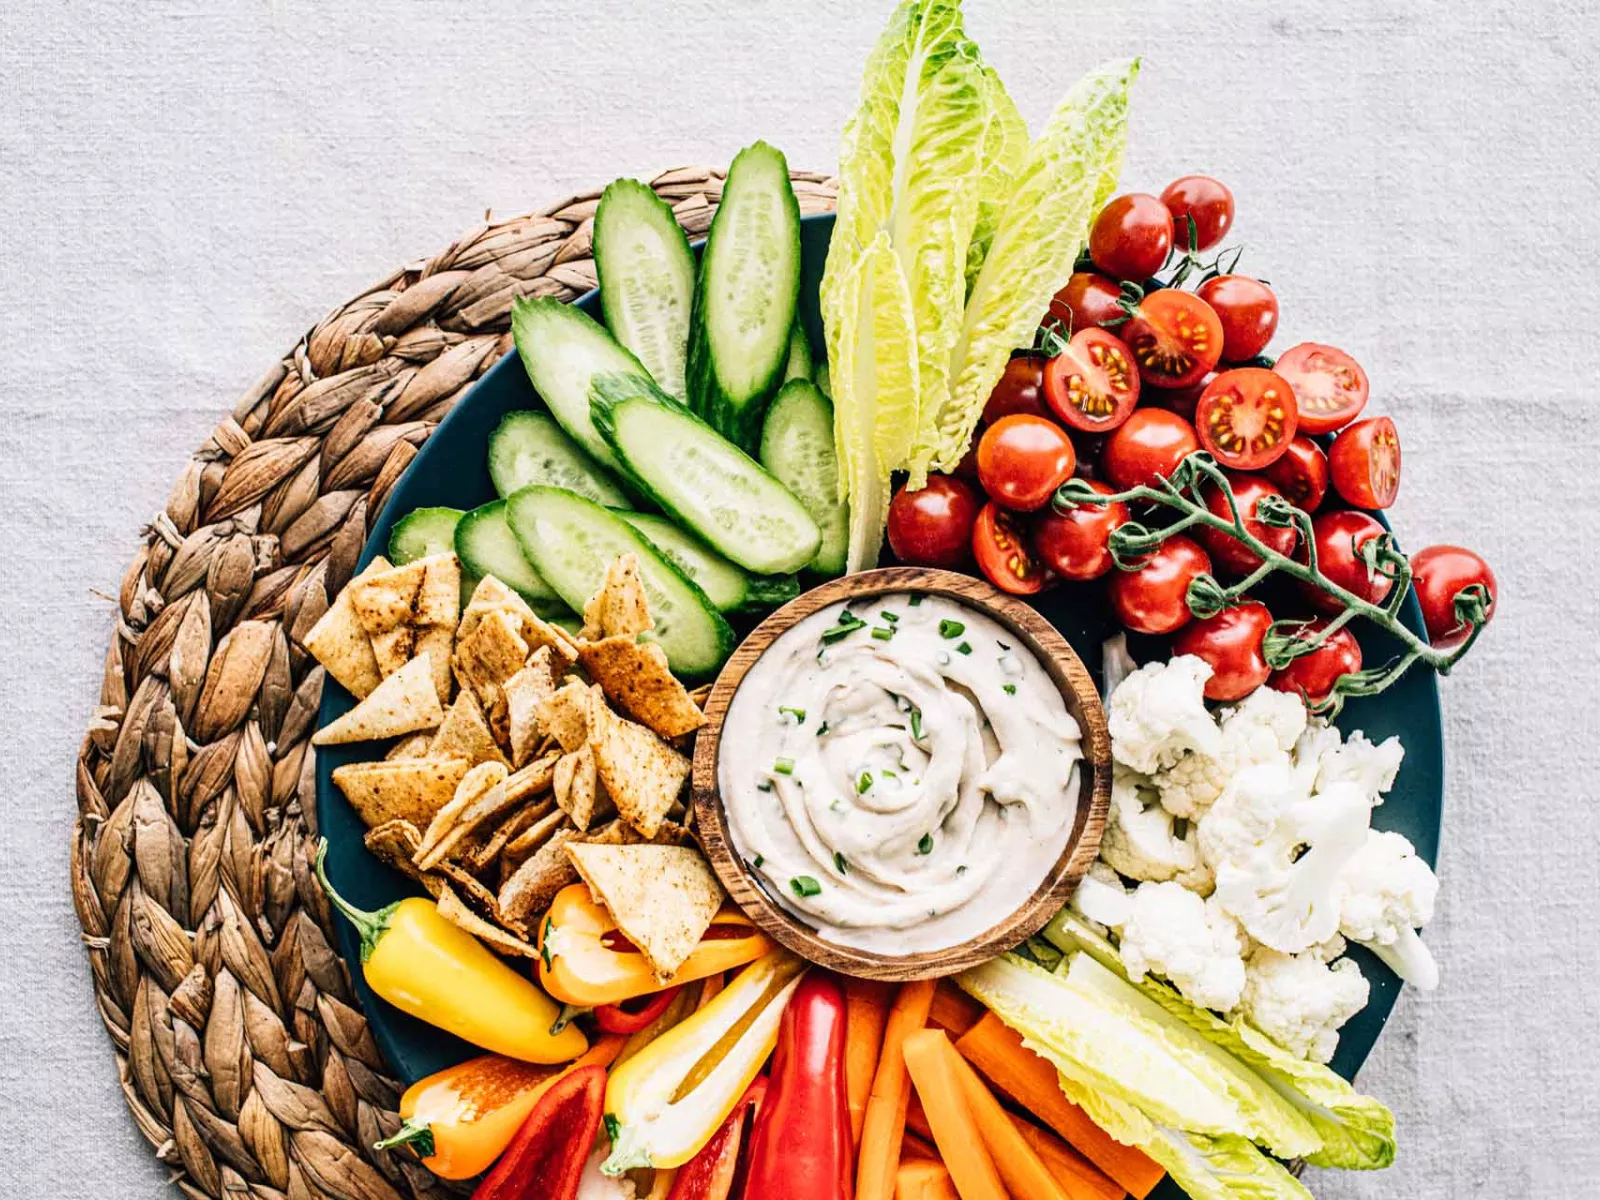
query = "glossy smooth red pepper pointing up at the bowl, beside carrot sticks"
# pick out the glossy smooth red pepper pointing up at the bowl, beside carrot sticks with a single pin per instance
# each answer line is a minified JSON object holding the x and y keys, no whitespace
{"x":802,"y":1146}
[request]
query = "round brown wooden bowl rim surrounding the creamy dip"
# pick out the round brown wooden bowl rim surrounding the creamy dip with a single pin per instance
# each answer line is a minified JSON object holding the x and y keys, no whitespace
{"x":1078,"y":852}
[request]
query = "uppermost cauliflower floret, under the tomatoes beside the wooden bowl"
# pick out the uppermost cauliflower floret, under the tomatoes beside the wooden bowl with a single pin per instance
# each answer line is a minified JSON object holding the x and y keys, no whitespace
{"x":1158,"y":714}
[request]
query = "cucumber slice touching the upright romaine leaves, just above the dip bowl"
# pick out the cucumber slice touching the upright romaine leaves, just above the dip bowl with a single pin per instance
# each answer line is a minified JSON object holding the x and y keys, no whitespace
{"x":798,"y":447}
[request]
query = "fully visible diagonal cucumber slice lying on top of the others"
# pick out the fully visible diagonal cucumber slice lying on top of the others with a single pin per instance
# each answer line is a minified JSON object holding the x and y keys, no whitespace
{"x":702,"y":479}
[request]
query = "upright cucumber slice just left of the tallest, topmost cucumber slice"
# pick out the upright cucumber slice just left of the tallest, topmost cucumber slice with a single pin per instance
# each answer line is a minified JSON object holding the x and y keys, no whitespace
{"x":647,"y":281}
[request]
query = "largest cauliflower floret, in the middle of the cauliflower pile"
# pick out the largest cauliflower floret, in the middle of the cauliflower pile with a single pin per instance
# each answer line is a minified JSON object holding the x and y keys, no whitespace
{"x":1279,"y":852}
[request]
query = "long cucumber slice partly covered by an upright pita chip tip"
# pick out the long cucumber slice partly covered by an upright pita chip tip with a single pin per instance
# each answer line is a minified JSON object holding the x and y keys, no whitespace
{"x":572,"y":542}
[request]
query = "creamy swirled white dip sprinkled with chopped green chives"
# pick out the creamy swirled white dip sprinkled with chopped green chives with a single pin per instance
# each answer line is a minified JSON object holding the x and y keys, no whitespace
{"x":900,"y":772}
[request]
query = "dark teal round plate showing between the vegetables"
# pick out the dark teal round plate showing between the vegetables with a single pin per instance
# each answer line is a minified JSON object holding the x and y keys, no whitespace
{"x":452,"y":471}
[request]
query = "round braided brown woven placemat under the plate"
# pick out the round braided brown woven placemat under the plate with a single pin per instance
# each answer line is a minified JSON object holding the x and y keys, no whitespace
{"x":239,"y":1042}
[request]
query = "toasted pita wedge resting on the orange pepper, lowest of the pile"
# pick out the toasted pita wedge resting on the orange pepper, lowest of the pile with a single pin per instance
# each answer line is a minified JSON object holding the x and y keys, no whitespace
{"x":662,"y":898}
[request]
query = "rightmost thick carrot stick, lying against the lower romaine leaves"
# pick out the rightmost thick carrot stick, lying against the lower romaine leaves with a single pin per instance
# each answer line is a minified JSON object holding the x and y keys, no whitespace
{"x":1030,"y":1081}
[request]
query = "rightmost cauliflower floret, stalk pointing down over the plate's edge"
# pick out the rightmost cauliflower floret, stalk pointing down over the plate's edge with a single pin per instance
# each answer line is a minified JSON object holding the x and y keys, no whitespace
{"x":1386,"y":894}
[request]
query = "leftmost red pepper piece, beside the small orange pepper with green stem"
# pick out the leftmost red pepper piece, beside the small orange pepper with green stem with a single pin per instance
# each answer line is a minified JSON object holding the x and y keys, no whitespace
{"x":546,"y":1159}
